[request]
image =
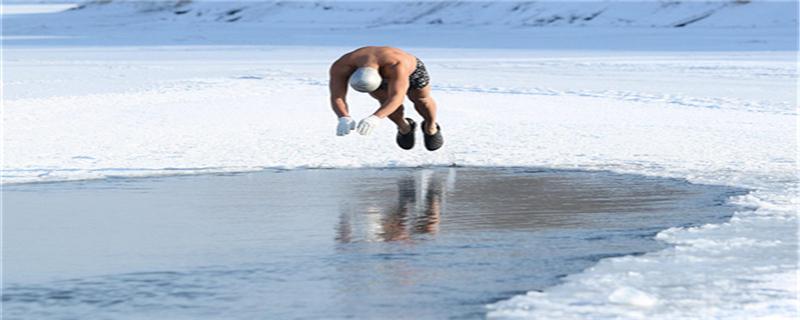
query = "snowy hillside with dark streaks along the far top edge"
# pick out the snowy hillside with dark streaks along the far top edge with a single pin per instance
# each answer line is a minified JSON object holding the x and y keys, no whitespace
{"x":730,"y":13}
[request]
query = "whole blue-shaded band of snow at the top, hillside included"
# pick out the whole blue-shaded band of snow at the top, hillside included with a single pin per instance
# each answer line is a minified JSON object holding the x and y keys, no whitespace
{"x":615,"y":25}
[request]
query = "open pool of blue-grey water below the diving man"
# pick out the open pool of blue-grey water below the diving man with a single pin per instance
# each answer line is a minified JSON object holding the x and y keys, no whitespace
{"x":362,"y":243}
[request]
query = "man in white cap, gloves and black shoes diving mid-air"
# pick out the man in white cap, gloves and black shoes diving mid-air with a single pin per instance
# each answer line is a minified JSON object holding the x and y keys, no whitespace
{"x":388,"y":75}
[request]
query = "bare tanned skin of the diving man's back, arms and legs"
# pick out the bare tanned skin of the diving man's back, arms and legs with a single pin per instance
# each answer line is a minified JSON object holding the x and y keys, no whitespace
{"x":395,"y":66}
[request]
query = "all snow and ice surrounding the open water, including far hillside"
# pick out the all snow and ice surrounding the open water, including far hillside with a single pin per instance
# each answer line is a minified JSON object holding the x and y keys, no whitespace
{"x":139,"y":89}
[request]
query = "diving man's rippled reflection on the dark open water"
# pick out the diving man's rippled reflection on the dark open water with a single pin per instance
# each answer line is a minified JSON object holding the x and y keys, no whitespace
{"x":403,"y":219}
